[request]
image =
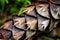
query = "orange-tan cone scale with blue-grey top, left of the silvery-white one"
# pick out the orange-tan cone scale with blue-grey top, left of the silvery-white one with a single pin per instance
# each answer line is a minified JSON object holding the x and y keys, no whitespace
{"x":31,"y":22}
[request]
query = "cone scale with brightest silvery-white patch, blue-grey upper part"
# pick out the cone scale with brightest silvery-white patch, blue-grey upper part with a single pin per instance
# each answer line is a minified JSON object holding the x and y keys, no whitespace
{"x":42,"y":23}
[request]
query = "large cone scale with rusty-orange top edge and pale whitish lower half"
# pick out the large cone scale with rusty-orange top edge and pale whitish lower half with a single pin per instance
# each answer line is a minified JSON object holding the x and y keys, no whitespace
{"x":43,"y":10}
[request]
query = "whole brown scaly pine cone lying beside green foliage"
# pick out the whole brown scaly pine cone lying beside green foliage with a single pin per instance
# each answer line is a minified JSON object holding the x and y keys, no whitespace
{"x":41,"y":18}
